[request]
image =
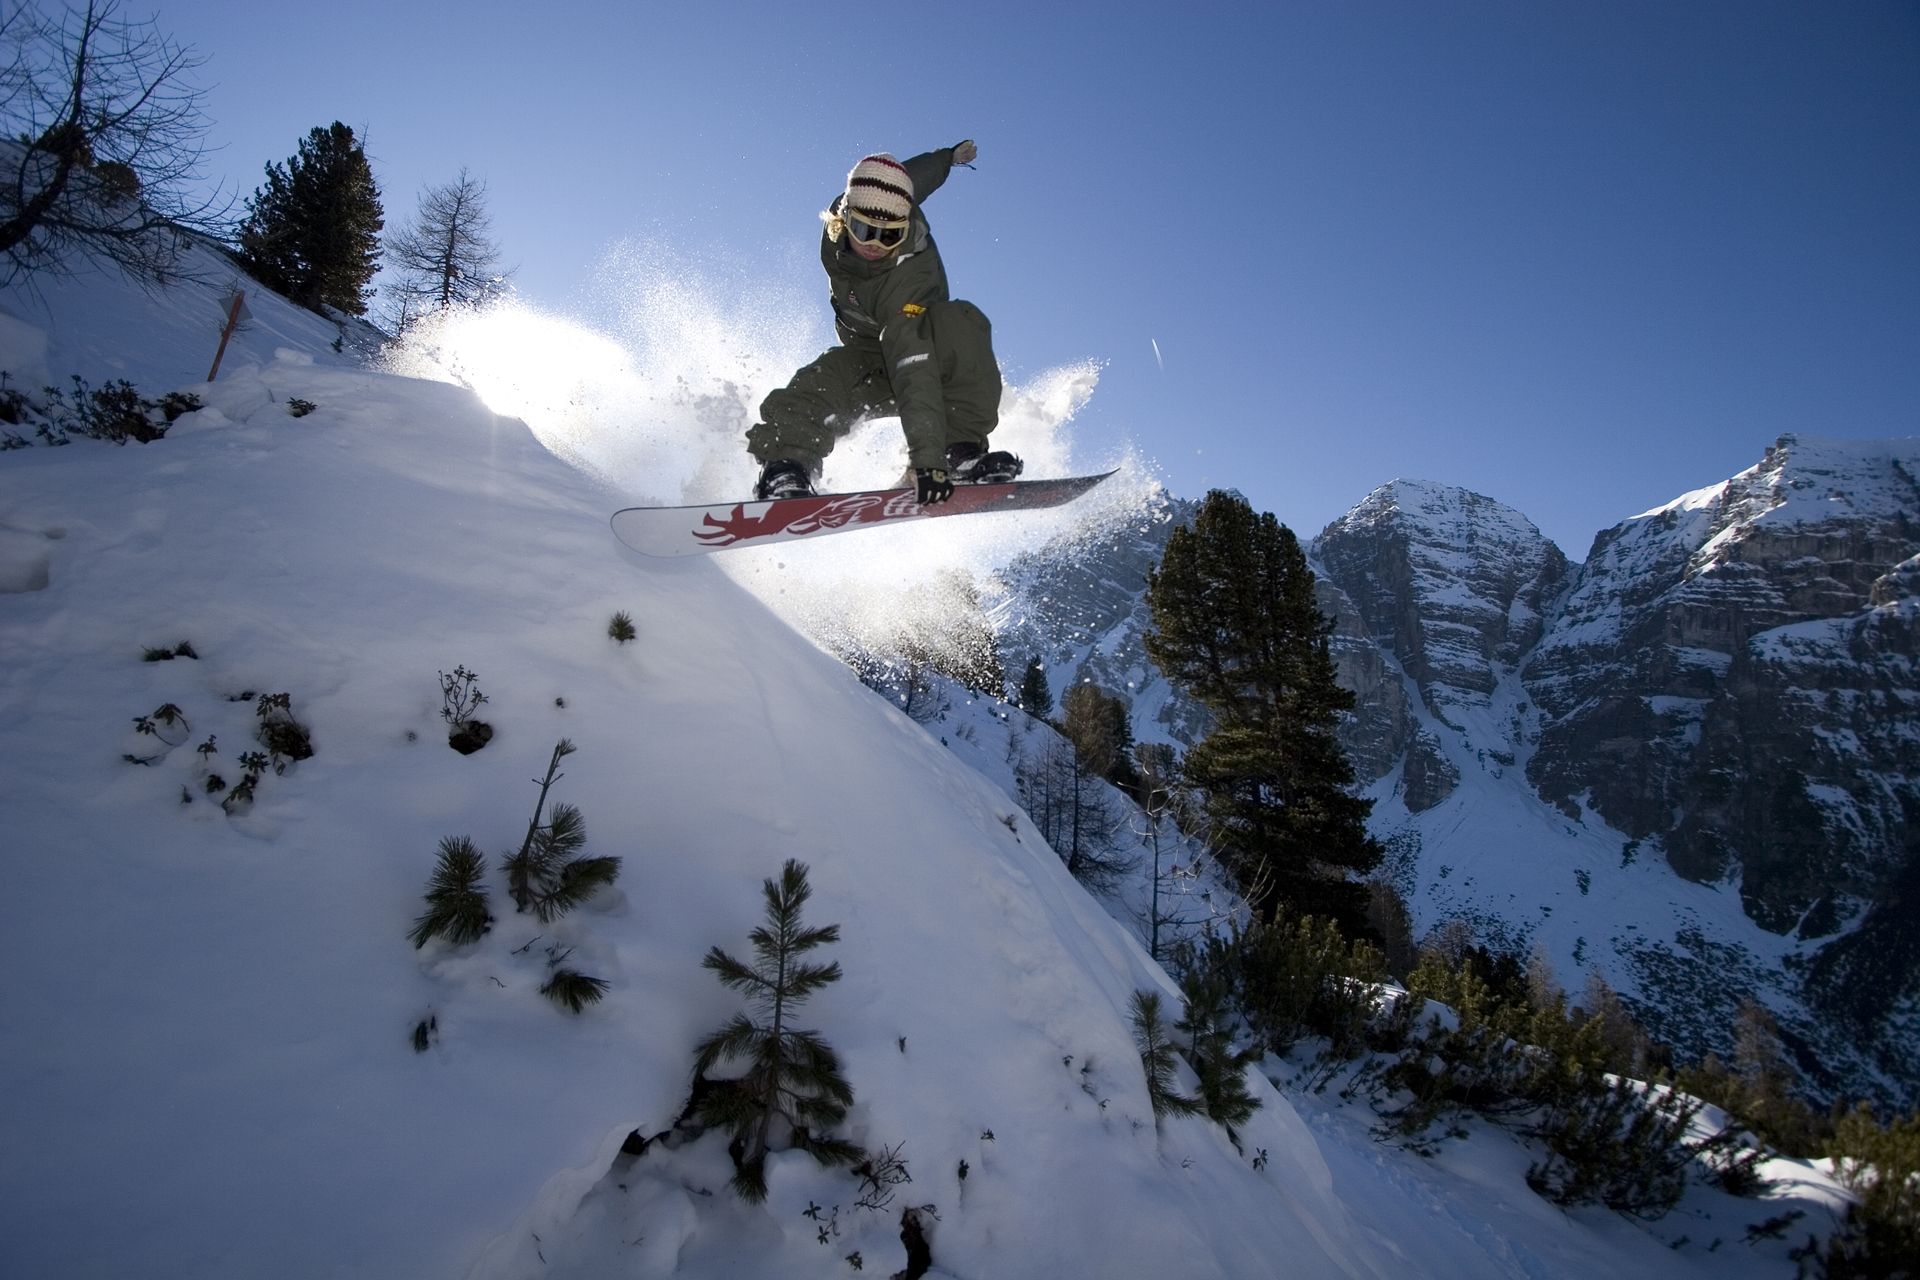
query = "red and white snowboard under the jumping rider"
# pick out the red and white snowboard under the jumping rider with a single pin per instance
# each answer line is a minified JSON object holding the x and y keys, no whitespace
{"x":723,"y":527}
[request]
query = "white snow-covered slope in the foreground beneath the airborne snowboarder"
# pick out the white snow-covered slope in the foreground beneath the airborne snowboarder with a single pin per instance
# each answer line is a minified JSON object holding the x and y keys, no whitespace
{"x":208,"y":1064}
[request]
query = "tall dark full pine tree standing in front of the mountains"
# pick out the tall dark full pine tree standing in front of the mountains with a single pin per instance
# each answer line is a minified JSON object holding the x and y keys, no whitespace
{"x":1237,"y":627}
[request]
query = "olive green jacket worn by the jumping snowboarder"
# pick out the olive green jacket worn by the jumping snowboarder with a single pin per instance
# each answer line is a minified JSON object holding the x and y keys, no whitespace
{"x":880,"y":310}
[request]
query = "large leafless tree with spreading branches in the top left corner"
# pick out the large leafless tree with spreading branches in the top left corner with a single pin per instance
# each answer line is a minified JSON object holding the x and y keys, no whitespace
{"x":105,"y":137}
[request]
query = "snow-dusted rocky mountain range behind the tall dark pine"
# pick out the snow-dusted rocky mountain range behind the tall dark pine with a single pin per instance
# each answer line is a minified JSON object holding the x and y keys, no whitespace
{"x":1689,"y":757}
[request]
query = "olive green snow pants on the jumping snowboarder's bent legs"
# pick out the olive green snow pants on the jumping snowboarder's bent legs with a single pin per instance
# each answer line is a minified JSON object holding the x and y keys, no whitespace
{"x":846,"y":387}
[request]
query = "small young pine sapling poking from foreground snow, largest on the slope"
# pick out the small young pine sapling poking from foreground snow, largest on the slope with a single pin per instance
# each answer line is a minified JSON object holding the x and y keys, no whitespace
{"x":794,"y":1079}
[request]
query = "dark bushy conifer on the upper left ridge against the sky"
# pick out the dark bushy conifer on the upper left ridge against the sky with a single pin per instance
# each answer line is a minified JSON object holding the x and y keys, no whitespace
{"x":314,"y":227}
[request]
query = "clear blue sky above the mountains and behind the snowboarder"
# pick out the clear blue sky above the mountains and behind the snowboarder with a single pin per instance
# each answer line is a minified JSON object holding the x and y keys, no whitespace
{"x":1581,"y":258}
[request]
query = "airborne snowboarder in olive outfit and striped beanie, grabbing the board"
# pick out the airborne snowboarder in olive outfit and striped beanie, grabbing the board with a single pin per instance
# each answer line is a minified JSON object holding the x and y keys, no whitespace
{"x":905,"y":348}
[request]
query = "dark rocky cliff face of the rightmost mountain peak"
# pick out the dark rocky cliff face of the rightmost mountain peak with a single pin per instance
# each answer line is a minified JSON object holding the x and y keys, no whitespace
{"x":1733,"y":675}
